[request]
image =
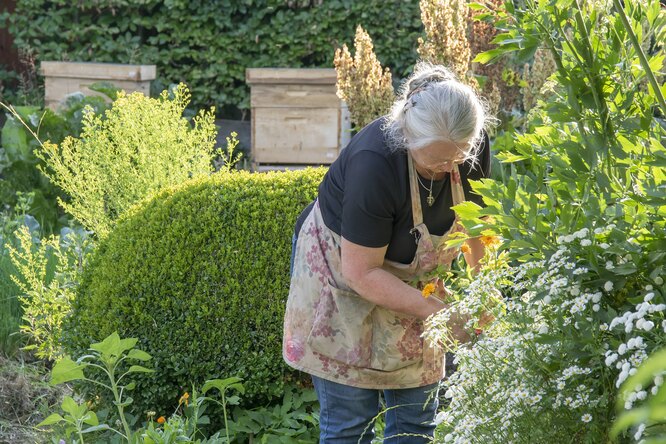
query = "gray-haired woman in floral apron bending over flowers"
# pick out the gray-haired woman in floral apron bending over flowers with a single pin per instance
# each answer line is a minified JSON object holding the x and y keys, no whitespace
{"x":354,"y":317}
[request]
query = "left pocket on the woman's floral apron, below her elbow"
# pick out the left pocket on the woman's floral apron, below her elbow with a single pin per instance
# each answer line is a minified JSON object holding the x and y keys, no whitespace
{"x":342,"y":327}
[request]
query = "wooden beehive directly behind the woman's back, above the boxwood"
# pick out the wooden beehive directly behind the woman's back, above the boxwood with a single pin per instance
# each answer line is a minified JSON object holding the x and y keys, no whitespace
{"x":296,"y":116}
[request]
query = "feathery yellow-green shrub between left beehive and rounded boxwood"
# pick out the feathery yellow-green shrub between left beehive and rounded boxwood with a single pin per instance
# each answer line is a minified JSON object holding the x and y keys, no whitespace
{"x":141,"y":146}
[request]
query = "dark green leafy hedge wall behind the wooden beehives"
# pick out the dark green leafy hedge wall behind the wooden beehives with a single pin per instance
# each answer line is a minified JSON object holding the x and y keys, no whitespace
{"x":210,"y":44}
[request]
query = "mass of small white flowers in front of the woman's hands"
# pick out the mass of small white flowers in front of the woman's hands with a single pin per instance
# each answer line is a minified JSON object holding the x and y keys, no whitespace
{"x":507,"y":379}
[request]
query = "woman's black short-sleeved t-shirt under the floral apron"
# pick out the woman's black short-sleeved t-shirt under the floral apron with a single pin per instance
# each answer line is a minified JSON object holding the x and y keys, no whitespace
{"x":365,"y":195}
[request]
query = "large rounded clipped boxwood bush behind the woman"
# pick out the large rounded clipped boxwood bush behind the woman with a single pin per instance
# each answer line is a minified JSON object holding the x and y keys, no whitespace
{"x":200,"y":275}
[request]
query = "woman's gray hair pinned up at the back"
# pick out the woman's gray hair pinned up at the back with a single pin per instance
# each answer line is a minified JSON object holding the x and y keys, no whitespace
{"x":434,"y":106}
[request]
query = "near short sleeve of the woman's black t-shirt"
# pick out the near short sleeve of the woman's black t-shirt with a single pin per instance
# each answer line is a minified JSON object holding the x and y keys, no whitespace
{"x":369,"y":200}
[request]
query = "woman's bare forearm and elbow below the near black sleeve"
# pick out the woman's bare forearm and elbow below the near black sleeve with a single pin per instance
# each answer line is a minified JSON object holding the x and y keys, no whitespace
{"x":362,"y":269}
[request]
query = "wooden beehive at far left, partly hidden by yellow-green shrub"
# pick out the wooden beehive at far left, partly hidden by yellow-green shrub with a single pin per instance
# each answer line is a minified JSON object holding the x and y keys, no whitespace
{"x":64,"y":78}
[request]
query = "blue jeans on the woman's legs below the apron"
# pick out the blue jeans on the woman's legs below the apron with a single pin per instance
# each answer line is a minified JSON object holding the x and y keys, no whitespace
{"x":347,"y":413}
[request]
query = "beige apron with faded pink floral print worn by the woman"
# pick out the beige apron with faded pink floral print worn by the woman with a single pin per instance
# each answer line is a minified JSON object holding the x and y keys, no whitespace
{"x":333,"y":333}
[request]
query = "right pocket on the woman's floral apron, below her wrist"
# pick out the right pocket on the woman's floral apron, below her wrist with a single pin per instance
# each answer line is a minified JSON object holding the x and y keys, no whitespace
{"x":396,"y":340}
